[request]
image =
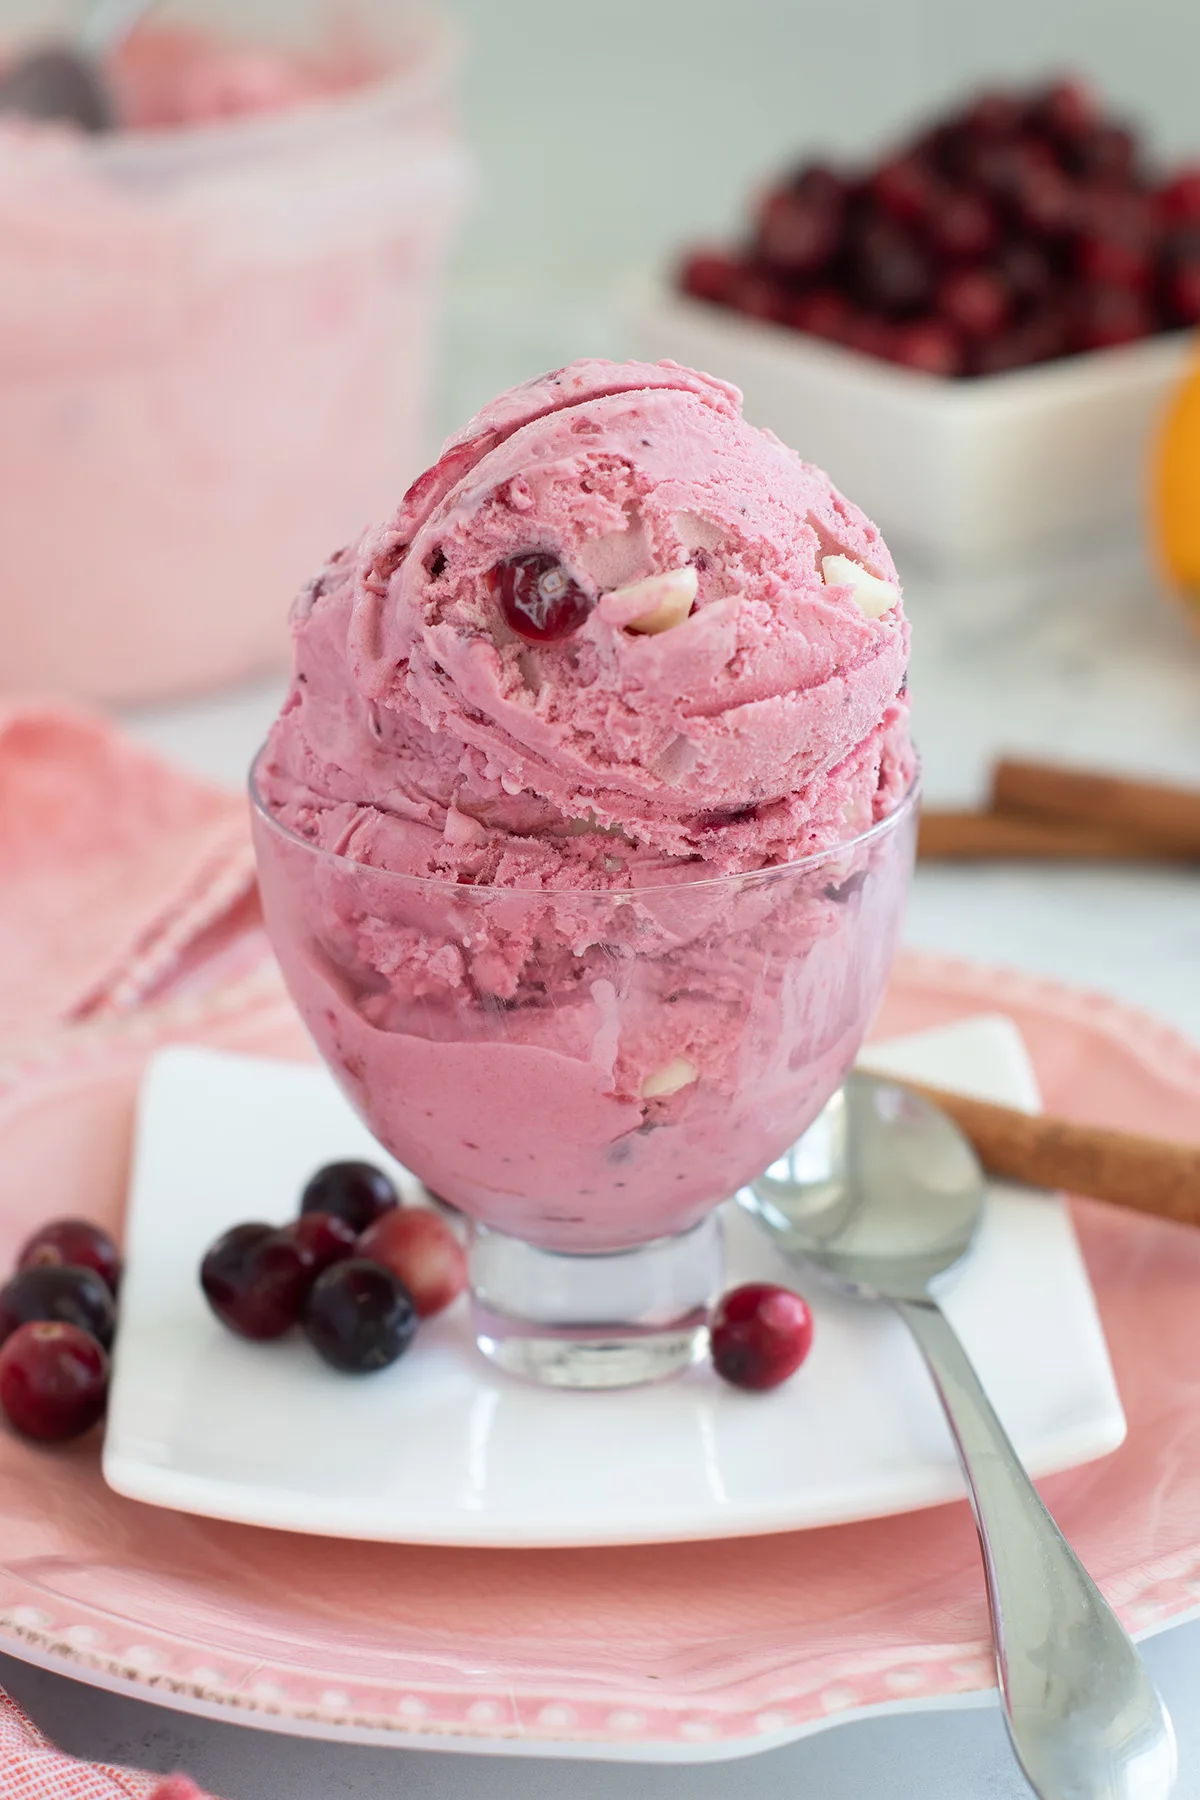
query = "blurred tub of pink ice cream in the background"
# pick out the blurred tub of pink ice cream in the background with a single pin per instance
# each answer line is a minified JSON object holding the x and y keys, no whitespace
{"x":215,"y":334}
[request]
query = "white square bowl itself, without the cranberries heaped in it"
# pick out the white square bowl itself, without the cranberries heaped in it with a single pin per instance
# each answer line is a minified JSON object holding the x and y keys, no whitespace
{"x":969,"y":472}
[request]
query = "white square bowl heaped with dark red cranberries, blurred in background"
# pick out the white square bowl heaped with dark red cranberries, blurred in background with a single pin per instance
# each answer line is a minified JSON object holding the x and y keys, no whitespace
{"x":974,"y":334}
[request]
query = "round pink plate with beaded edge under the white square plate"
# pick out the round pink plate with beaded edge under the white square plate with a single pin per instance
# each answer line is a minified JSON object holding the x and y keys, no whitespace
{"x":658,"y":1653}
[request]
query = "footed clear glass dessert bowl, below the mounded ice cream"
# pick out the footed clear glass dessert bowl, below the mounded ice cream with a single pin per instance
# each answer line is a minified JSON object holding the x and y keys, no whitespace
{"x":587,"y":1075}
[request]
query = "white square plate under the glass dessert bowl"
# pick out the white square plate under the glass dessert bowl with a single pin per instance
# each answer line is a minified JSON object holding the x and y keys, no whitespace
{"x":443,"y":1450}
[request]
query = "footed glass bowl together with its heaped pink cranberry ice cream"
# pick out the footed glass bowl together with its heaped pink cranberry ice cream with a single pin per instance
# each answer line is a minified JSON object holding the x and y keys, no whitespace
{"x":586,"y":834}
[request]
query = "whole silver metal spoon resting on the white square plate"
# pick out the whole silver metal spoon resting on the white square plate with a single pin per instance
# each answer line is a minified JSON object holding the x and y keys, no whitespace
{"x":884,"y":1198}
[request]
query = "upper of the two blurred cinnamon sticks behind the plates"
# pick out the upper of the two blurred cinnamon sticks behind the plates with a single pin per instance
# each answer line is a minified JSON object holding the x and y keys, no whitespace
{"x":1156,"y":811}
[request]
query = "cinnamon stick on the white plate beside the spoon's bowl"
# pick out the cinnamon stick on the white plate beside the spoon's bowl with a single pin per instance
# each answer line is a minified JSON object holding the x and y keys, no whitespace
{"x":1145,"y":1174}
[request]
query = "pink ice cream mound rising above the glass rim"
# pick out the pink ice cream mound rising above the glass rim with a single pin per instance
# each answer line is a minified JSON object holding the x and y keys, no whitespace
{"x":487,"y":688}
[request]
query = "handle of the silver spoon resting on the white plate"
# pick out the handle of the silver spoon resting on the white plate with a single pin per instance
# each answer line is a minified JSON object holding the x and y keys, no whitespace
{"x":1082,"y":1711}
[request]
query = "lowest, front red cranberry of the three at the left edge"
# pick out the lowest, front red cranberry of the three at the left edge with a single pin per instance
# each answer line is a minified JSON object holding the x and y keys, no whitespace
{"x":53,"y":1381}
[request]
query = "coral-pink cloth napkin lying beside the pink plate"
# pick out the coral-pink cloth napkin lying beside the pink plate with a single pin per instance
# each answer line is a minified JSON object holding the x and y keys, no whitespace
{"x":121,"y":881}
